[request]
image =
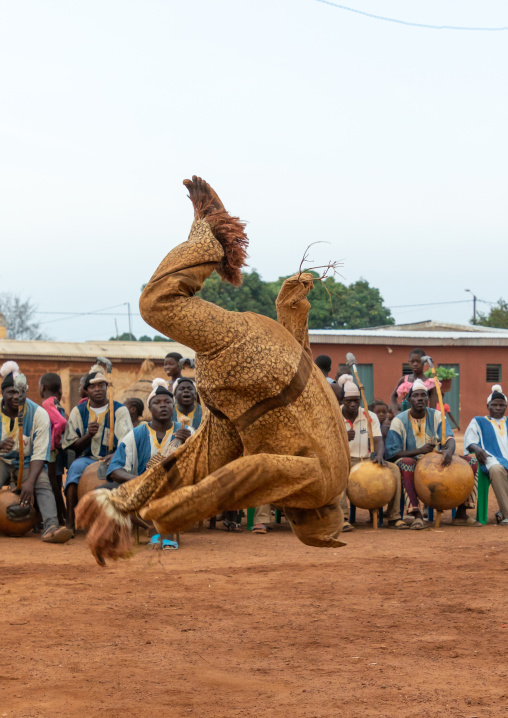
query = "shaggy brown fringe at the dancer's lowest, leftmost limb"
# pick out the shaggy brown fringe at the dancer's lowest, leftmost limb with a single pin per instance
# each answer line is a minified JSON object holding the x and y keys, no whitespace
{"x":109,"y":530}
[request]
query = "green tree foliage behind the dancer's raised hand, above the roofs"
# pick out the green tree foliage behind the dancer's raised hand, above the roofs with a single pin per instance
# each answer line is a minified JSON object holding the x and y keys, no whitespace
{"x":333,"y":304}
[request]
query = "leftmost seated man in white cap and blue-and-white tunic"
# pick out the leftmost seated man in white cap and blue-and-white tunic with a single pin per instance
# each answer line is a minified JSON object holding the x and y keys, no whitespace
{"x":36,"y":451}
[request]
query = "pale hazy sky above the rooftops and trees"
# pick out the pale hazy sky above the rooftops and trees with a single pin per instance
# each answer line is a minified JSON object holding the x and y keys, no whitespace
{"x":389,"y":142}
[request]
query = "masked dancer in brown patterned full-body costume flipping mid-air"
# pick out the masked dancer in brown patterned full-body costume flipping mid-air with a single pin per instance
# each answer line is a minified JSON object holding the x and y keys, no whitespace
{"x":273,"y":431}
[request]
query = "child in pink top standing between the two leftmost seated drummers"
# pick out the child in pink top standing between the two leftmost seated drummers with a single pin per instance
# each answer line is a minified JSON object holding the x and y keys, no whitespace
{"x":50,"y":390}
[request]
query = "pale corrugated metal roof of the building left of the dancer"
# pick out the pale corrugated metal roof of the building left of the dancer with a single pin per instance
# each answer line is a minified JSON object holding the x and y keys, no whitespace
{"x":14,"y":349}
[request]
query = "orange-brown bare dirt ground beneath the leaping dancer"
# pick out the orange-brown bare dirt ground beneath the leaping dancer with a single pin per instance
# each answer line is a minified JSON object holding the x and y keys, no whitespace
{"x":394,"y":624}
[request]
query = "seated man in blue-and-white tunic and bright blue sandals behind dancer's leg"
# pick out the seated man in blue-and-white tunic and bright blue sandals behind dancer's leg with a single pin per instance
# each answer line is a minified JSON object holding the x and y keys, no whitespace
{"x":148,"y":441}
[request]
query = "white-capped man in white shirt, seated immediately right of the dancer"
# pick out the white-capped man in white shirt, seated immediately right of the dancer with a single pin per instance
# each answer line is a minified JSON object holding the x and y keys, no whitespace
{"x":359,"y":448}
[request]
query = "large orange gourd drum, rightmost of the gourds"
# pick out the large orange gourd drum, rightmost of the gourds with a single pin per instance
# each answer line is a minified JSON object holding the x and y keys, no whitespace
{"x":443,"y":487}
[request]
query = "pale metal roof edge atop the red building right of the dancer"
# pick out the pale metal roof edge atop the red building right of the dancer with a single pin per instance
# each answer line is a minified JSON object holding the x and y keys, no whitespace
{"x":393,"y":336}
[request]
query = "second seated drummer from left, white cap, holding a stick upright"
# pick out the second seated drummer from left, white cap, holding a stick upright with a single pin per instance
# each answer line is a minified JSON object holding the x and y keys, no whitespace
{"x":87,"y":433}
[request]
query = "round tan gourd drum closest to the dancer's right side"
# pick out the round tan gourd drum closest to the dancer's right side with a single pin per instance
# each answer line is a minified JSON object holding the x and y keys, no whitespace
{"x":370,"y":485}
